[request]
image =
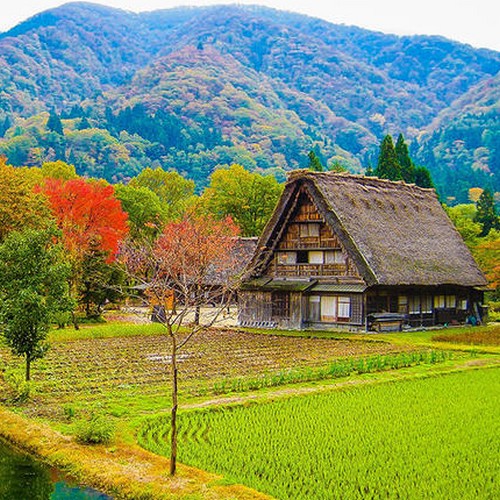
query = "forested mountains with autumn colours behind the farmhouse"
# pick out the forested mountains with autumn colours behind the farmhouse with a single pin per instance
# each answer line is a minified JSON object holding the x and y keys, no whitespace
{"x":192,"y":88}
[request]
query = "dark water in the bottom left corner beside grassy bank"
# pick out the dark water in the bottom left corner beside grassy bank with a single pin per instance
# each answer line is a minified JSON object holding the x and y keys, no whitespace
{"x":23,"y":478}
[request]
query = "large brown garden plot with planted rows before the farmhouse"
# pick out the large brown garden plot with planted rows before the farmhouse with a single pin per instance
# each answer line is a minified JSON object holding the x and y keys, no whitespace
{"x":121,"y":367}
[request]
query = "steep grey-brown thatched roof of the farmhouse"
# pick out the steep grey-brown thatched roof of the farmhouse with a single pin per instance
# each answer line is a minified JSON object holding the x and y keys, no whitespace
{"x":397,"y":233}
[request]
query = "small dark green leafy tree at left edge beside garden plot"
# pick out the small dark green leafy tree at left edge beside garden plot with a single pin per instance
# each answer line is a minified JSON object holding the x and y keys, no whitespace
{"x":33,"y":287}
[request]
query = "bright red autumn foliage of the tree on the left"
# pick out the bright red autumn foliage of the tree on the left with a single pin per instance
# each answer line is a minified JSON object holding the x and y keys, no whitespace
{"x":87,"y":211}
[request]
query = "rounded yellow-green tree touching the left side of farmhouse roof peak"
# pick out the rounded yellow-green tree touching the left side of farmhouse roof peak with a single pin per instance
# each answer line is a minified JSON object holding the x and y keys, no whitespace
{"x":248,"y":198}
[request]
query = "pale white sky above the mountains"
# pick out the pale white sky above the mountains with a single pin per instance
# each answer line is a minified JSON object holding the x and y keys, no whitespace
{"x":476,"y":22}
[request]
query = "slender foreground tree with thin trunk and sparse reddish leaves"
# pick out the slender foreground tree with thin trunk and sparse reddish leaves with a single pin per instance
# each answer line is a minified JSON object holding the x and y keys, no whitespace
{"x":178,"y":273}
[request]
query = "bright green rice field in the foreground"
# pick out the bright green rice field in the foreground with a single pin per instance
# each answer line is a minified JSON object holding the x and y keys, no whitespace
{"x":418,"y":439}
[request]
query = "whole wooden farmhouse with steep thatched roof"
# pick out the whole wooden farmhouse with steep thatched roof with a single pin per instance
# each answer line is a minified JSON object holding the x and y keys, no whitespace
{"x":310,"y":271}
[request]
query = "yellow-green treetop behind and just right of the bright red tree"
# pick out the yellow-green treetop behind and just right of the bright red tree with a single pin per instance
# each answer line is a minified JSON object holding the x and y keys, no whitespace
{"x":175,"y":193}
